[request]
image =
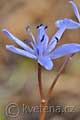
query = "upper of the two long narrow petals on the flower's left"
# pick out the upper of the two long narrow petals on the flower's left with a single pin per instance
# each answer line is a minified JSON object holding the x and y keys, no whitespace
{"x":19,"y":42}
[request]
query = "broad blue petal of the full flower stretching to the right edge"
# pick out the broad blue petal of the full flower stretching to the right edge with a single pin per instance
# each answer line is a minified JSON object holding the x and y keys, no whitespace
{"x":65,"y":49}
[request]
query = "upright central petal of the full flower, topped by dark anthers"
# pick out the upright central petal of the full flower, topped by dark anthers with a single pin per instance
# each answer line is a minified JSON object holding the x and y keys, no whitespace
{"x":42,"y":40}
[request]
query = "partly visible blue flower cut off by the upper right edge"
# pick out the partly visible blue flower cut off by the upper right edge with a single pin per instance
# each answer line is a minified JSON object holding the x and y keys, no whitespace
{"x":69,"y":23}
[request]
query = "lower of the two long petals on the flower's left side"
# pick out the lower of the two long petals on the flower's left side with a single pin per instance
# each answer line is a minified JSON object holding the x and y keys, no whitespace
{"x":20,"y":52}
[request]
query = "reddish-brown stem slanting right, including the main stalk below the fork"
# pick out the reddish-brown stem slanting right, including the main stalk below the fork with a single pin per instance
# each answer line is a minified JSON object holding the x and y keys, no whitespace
{"x":44,"y":103}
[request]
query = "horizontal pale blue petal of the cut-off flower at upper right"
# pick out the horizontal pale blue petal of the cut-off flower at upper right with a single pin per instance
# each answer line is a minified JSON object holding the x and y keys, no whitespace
{"x":69,"y":24}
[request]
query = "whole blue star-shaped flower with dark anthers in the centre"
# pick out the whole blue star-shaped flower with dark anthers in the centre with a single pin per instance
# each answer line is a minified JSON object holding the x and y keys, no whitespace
{"x":42,"y":50}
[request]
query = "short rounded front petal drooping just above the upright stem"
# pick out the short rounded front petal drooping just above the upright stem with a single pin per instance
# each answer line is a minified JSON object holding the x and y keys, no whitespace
{"x":46,"y":62}
